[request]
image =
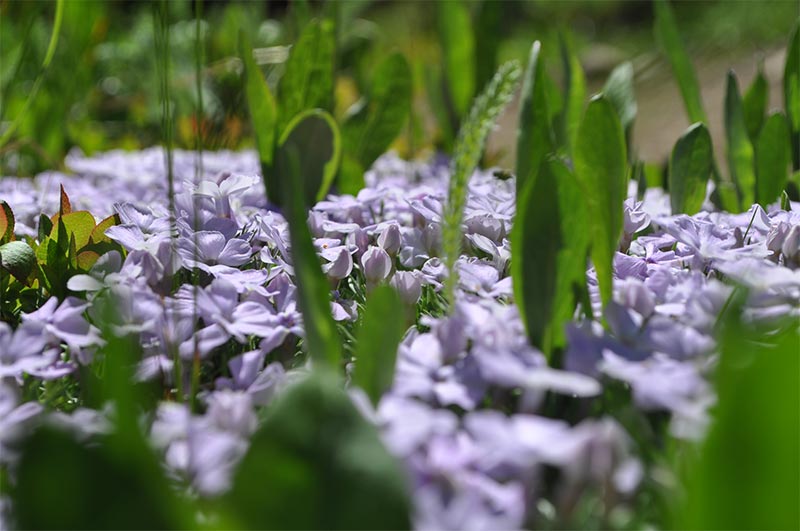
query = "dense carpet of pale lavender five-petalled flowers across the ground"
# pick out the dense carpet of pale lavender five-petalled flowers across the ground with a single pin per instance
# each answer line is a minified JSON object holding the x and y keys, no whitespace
{"x":468,"y":410}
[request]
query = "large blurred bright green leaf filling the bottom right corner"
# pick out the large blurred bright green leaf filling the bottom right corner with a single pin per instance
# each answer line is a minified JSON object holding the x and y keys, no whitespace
{"x":747,"y":475}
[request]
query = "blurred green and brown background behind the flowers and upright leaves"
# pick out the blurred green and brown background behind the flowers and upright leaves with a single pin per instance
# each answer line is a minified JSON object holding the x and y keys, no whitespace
{"x":101,"y":88}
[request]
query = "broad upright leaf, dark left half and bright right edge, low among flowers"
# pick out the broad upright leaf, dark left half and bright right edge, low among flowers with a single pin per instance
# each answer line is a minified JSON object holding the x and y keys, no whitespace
{"x":549,"y":243}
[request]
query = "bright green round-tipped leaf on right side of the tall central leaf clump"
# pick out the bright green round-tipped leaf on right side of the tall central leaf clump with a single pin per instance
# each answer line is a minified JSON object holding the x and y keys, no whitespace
{"x":602,"y":173}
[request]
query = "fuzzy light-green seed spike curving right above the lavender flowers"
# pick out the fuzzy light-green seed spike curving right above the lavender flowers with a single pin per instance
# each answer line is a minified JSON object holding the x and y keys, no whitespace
{"x":469,"y":149}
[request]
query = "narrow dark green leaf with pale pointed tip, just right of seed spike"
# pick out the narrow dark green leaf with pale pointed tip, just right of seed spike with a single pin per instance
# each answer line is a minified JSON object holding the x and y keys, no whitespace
{"x":534,"y":135}
